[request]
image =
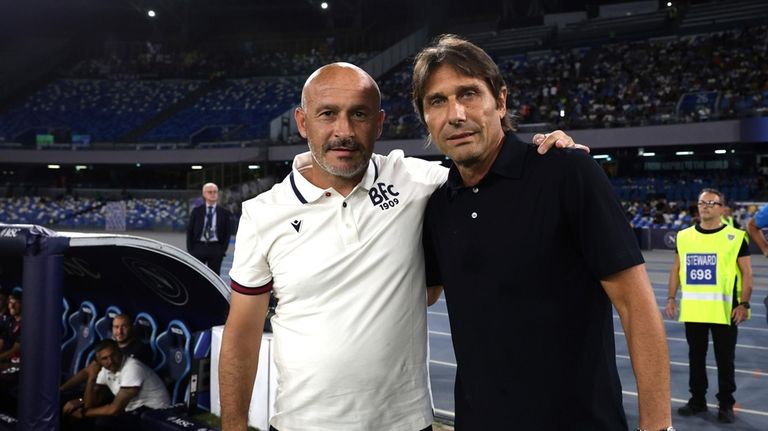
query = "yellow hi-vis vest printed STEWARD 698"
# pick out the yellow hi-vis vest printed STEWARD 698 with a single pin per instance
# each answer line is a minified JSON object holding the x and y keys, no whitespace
{"x":708,"y":272}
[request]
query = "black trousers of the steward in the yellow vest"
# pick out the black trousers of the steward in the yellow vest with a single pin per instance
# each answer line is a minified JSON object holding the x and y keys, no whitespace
{"x":724,"y":340}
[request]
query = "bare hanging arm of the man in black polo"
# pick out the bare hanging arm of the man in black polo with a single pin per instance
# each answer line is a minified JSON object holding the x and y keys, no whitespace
{"x":631,"y":293}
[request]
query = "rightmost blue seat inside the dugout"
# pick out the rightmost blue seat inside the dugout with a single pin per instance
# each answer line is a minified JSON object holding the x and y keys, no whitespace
{"x":175,"y":358}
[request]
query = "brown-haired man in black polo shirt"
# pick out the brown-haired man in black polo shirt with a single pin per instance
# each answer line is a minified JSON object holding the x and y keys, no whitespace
{"x":531,"y":252}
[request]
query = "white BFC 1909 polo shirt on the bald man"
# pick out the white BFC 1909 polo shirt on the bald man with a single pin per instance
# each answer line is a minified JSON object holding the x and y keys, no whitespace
{"x":350,"y":328}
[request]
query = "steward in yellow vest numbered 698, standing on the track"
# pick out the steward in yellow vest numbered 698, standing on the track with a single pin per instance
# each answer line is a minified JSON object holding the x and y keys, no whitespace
{"x":712,"y":266}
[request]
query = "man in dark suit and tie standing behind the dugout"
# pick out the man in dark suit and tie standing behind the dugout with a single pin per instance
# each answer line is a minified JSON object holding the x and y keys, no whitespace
{"x":209,"y":229}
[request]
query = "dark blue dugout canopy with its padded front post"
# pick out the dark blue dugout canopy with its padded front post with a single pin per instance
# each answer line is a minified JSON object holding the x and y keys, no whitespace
{"x":140,"y":274}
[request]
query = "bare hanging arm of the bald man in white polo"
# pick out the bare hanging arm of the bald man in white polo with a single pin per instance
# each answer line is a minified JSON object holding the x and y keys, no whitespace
{"x":239,"y":357}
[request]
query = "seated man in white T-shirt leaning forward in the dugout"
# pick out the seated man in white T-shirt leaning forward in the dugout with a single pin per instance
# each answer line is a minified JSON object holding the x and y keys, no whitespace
{"x":133,"y":384}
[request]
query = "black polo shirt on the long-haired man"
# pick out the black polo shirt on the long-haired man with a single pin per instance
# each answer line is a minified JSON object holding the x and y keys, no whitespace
{"x":521,"y":256}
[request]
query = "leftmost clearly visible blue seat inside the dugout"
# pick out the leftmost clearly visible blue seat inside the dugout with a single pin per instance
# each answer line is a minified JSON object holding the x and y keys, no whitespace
{"x":73,"y":351}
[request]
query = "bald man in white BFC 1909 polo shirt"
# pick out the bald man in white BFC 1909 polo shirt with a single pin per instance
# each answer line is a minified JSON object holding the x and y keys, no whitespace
{"x":339,"y":242}
